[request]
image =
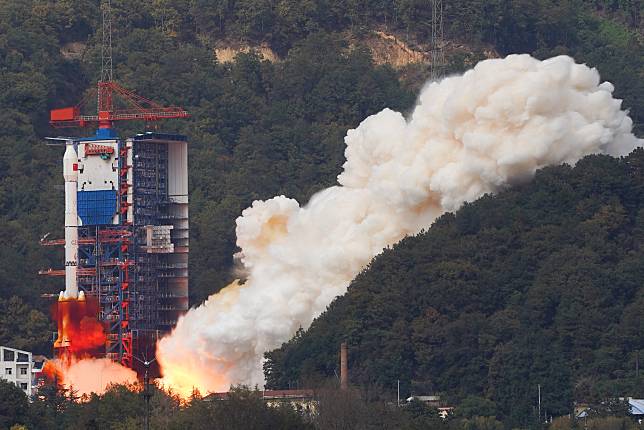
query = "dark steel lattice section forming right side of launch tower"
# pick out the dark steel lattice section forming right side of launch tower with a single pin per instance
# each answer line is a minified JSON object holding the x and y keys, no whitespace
{"x":160,"y":217}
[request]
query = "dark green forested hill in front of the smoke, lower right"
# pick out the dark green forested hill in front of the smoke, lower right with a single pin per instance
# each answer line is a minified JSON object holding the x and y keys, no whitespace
{"x":541,"y":284}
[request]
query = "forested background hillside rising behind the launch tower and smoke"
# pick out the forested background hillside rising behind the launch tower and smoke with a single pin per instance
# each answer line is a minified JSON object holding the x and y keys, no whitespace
{"x":258,"y":128}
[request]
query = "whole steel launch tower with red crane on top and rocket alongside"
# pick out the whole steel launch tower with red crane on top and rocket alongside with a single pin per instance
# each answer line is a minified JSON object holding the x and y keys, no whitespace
{"x":126,"y":217}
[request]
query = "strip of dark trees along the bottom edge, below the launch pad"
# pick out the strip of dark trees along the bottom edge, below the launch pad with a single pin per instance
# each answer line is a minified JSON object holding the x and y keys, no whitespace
{"x":124,"y":408}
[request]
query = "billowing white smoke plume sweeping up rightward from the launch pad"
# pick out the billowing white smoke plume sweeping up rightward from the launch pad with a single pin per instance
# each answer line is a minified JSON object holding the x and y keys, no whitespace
{"x":468,"y":135}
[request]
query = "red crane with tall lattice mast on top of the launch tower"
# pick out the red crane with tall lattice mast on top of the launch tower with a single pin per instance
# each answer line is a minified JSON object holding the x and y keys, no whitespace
{"x":133,"y":106}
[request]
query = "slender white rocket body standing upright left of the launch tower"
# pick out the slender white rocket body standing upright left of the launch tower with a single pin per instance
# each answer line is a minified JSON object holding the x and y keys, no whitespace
{"x":70,"y":173}
